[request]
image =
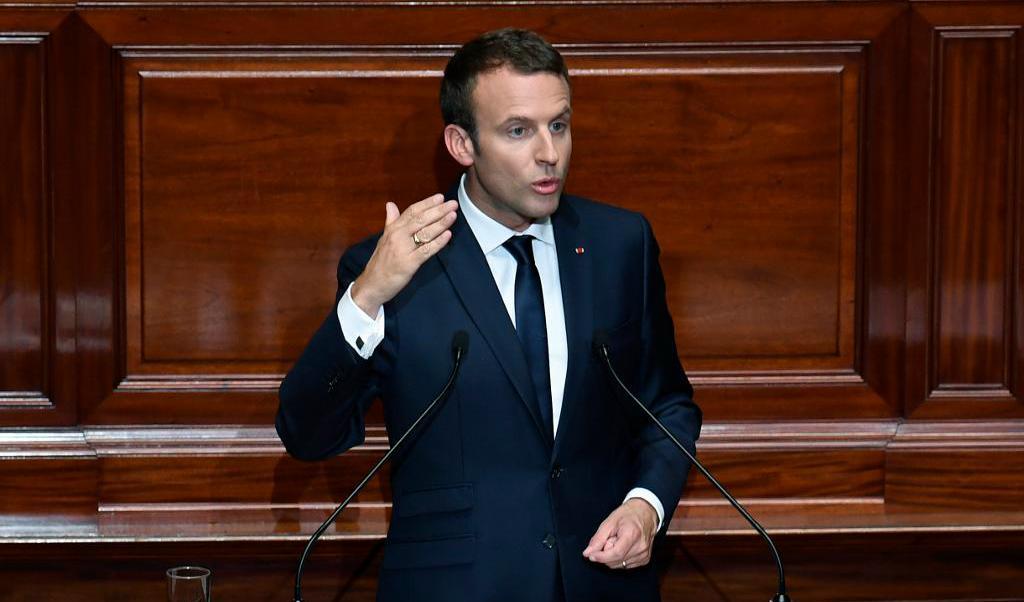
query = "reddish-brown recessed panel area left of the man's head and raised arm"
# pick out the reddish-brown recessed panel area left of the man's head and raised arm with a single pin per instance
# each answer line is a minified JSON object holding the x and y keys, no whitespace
{"x":290,"y":162}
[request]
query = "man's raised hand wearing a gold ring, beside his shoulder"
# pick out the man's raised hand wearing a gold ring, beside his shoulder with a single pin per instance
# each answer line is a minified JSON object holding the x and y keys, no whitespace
{"x":398,"y":256}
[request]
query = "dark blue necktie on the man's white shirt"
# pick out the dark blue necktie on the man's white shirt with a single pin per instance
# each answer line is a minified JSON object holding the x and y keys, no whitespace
{"x":530,"y":324}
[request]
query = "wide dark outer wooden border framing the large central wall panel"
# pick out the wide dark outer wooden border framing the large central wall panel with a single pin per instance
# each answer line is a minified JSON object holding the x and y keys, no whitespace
{"x":873,"y":392}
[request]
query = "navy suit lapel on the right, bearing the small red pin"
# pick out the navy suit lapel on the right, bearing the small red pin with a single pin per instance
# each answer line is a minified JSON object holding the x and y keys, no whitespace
{"x":575,"y":274}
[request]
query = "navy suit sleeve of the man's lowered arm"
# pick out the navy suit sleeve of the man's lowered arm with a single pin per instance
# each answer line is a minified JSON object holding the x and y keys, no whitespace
{"x":662,"y":468}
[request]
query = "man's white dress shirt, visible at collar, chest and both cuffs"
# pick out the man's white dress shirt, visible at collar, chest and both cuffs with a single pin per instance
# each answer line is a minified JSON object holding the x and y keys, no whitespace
{"x":364,"y":333}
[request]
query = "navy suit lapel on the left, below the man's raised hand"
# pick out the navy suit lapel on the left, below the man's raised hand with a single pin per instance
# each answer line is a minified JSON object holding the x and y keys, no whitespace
{"x":467,"y":269}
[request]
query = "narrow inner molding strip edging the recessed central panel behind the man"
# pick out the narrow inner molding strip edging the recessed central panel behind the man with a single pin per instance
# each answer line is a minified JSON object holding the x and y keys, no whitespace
{"x":163,"y":377}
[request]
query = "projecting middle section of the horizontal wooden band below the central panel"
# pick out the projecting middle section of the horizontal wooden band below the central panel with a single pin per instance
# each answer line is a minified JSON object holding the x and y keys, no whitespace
{"x":248,"y":465}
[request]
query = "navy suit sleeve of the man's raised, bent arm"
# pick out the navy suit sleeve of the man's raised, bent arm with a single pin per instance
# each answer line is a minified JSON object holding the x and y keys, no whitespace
{"x":324,"y":399}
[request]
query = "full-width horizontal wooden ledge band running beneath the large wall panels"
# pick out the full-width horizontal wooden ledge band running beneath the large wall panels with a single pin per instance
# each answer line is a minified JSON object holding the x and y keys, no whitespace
{"x":801,"y":468}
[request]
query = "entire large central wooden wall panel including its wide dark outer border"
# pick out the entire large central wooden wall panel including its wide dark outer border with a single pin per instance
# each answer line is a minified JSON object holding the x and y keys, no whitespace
{"x":761,"y":337}
